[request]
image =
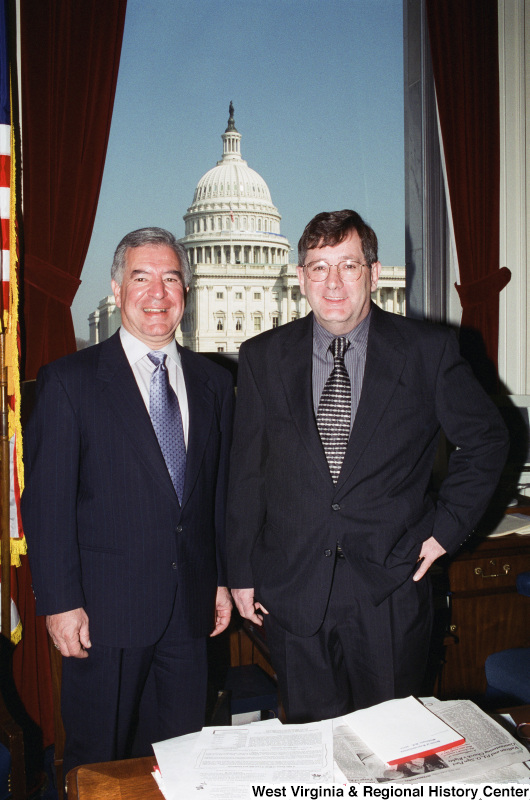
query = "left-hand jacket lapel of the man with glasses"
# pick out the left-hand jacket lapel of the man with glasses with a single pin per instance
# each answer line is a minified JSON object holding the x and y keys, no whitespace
{"x":296,"y":355}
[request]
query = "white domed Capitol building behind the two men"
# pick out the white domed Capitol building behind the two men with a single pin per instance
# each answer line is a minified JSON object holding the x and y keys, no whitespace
{"x":242,"y":279}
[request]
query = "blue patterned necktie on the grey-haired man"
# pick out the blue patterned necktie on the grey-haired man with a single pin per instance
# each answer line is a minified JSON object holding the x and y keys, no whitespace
{"x":164,"y":411}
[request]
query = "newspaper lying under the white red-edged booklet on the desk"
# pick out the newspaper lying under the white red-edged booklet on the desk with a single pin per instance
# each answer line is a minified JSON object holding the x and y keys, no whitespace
{"x":490,"y":753}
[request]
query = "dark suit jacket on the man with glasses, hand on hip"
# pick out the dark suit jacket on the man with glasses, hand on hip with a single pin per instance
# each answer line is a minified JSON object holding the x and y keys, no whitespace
{"x":285,"y":516}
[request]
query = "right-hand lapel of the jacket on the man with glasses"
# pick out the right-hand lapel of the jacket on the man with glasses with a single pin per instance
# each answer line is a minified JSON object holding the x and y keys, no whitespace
{"x":384,"y":365}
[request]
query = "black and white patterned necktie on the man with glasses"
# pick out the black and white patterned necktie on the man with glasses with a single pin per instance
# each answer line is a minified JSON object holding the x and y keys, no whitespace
{"x":334,"y":409}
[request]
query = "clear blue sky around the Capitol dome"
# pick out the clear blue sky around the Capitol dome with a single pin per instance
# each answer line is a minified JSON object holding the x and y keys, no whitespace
{"x":317,"y":87}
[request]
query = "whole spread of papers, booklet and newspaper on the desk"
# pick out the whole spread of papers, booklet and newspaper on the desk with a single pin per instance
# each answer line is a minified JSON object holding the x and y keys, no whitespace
{"x":401,"y":740}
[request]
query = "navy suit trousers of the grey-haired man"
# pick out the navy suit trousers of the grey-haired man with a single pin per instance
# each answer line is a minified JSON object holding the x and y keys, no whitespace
{"x":117,"y":702}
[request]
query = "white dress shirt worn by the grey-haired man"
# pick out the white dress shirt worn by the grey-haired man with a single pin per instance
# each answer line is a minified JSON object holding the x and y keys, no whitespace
{"x":142,"y":367}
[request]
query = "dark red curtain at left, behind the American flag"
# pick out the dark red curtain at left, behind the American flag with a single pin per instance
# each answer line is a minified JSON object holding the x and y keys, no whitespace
{"x":70,"y":54}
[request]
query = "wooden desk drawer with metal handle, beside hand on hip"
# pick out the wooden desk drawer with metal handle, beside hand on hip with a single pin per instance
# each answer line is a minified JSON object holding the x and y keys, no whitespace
{"x":487,"y":573}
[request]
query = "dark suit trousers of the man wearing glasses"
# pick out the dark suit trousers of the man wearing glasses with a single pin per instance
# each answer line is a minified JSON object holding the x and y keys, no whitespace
{"x":361,"y":655}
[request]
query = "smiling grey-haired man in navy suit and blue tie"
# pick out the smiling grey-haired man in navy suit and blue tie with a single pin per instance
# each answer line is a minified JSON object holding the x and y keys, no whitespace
{"x":126,"y":535}
